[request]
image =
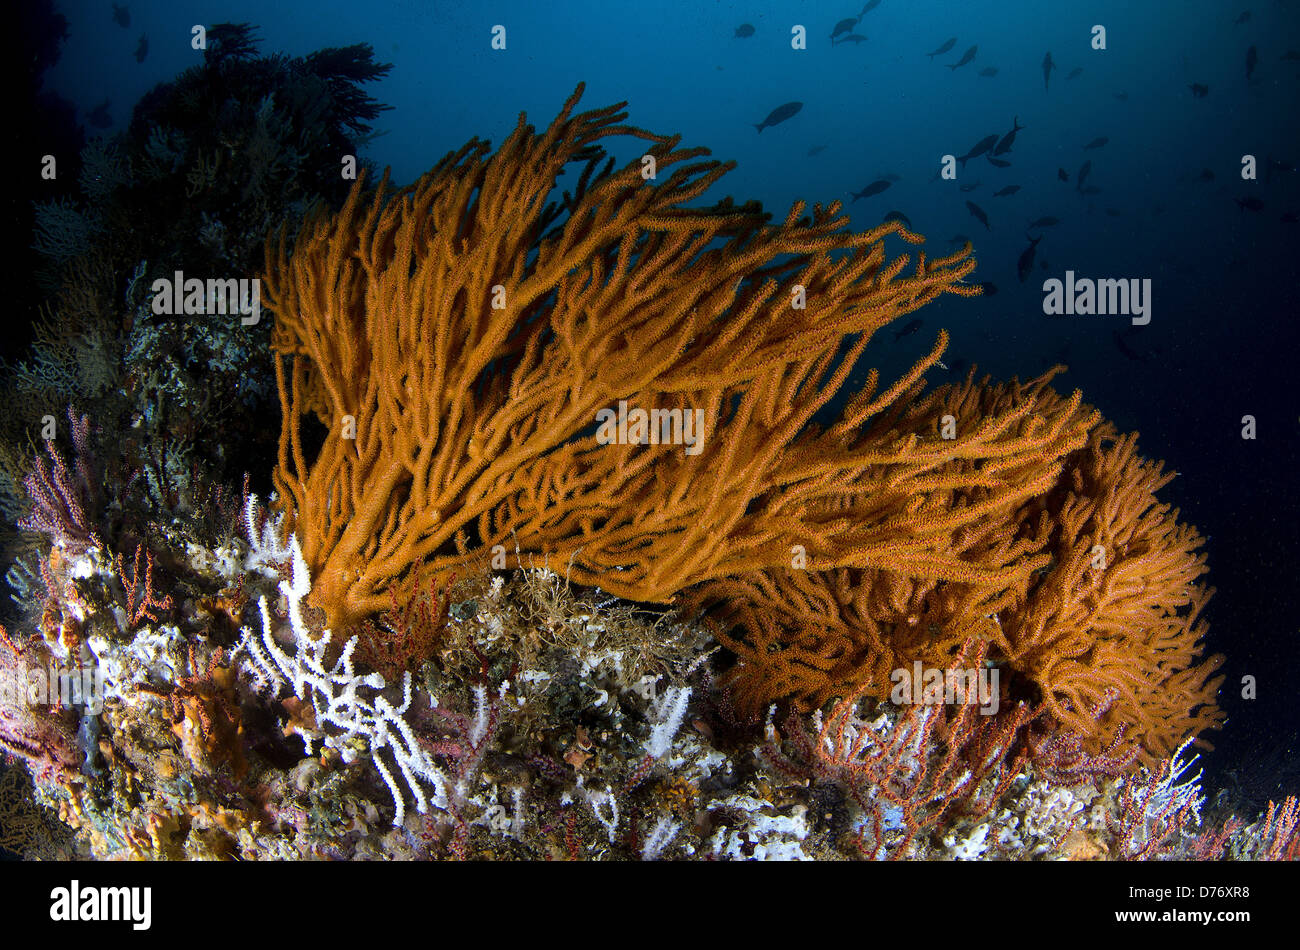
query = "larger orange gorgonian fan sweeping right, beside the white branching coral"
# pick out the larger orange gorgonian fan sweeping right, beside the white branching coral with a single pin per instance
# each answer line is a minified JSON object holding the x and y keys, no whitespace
{"x":457,"y":342}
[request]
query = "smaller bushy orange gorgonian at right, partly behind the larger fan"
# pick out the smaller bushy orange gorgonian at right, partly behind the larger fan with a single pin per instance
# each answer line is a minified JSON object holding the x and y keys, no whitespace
{"x":1104,"y":622}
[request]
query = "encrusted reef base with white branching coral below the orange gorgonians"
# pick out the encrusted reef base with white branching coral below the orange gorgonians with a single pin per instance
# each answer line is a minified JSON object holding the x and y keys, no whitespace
{"x":548,"y":726}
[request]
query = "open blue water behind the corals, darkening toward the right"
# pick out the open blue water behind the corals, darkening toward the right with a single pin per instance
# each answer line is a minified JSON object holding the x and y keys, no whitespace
{"x":1223,"y":341}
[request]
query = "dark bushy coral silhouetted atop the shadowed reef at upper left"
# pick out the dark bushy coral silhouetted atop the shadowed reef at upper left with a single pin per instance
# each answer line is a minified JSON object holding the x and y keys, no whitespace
{"x":242,"y":140}
